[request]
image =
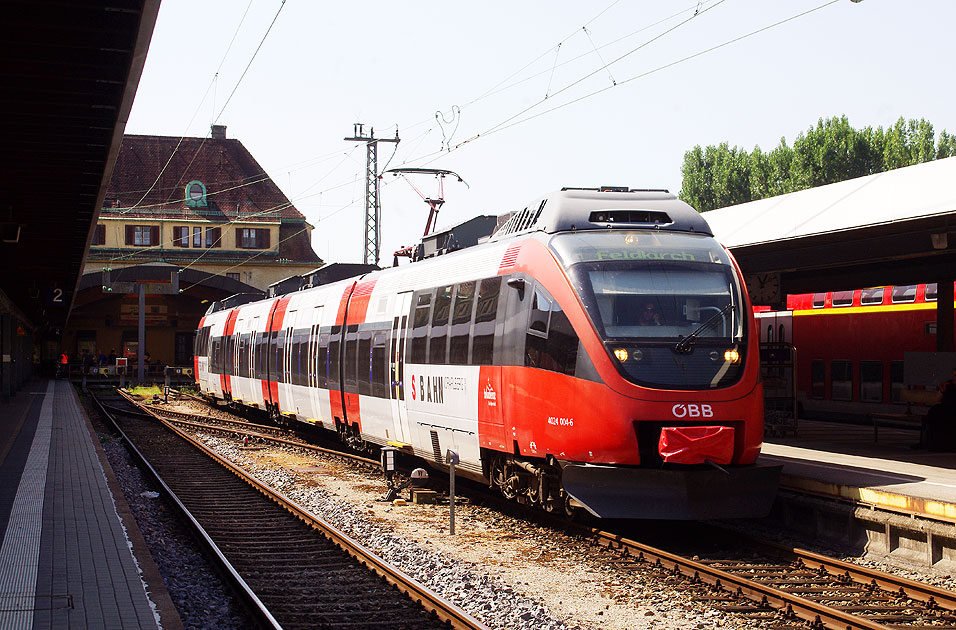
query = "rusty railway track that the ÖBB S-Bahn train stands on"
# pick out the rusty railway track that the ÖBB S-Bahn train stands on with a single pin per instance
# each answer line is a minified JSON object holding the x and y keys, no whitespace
{"x":782,"y":587}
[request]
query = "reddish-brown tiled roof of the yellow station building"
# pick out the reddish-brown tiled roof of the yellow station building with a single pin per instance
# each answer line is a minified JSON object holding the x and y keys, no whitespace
{"x":237,"y":188}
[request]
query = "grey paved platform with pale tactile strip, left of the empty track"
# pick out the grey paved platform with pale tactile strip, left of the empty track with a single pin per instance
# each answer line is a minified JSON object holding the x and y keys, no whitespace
{"x":71,"y":554}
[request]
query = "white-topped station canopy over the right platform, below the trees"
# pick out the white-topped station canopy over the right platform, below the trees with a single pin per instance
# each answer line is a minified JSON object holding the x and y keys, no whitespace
{"x":895,"y":227}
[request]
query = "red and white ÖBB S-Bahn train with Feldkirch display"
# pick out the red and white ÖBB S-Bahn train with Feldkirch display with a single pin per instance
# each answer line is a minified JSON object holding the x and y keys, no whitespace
{"x":526,"y":354}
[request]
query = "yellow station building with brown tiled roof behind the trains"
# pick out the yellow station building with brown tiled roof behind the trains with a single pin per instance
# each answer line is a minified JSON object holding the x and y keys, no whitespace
{"x":188,"y":221}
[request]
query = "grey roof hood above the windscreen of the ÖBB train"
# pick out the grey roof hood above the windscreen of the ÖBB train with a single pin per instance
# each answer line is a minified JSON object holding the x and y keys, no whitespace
{"x":608,"y":207}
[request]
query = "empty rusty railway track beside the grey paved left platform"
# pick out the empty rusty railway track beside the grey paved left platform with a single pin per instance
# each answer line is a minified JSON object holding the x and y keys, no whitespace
{"x":293,"y":569}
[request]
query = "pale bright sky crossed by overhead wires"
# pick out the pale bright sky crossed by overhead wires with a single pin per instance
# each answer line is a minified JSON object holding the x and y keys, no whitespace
{"x":523,"y":98}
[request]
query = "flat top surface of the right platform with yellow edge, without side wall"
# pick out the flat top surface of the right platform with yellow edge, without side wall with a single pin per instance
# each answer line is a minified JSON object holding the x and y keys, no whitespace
{"x":844,"y":461}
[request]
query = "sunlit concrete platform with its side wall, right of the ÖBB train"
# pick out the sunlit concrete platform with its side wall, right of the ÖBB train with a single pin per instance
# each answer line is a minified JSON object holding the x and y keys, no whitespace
{"x":883,"y":498}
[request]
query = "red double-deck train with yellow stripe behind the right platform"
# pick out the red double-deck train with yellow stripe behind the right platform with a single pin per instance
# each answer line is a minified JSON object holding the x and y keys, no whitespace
{"x":850,"y":345}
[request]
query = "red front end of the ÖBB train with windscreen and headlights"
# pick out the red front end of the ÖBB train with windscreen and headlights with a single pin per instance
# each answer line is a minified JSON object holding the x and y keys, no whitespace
{"x":672,"y":423}
